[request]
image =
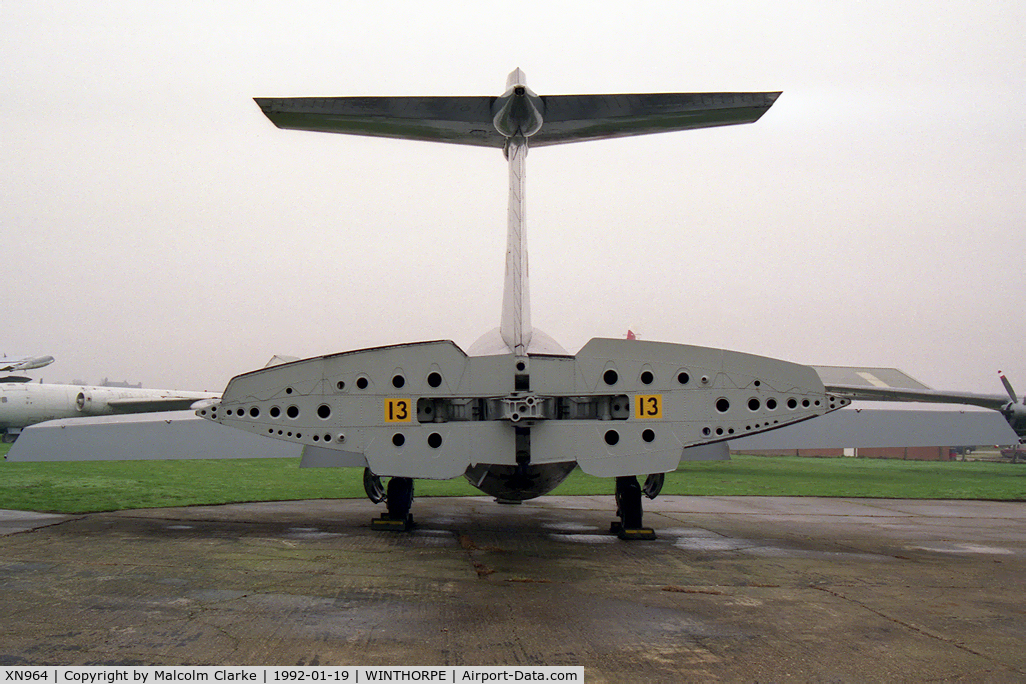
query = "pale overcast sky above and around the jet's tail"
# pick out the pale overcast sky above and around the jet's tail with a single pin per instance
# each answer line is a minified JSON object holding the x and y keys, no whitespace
{"x":160,"y":229}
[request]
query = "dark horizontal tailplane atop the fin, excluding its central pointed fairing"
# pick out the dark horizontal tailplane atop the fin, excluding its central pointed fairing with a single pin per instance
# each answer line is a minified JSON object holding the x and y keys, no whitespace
{"x":470,"y":120}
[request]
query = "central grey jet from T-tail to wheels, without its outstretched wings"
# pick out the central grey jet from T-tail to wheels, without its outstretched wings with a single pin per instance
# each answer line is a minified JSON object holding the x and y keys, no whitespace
{"x":517,"y":413}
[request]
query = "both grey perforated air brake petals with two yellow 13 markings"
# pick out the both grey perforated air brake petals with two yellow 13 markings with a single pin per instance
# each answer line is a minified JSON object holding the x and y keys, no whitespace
{"x":428,"y":411}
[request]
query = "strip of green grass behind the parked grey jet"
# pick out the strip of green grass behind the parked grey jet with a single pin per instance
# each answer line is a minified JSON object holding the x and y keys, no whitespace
{"x":90,"y":487}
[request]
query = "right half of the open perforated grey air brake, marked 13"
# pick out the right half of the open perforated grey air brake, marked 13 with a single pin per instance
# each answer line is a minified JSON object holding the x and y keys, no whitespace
{"x":664,"y":398}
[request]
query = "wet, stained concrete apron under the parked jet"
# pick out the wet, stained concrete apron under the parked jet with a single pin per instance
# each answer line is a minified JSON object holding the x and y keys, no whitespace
{"x":735,"y":589}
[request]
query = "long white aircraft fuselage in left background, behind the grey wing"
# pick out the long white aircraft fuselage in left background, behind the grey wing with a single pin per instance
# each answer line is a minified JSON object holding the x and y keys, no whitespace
{"x":23,"y":405}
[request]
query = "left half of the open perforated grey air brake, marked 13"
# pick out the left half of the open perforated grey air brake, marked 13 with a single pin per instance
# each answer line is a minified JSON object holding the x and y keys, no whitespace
{"x":369,"y":403}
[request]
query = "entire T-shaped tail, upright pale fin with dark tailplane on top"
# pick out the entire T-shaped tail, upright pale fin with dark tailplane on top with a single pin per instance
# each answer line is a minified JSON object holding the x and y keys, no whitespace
{"x":512,"y":122}
